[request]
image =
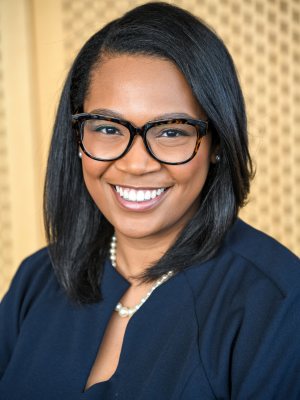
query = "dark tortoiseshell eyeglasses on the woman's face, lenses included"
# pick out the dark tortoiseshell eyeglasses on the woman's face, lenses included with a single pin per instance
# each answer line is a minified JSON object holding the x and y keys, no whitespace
{"x":170,"y":141}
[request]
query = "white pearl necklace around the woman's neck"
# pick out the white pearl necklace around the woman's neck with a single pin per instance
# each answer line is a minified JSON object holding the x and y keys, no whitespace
{"x":124,"y":311}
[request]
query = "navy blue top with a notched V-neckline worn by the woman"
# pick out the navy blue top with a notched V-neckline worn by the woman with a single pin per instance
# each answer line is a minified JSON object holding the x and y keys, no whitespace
{"x":228,"y":328}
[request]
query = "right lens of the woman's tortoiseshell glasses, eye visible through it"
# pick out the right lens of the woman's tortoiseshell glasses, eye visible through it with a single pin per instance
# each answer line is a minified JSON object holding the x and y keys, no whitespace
{"x":172,"y":142}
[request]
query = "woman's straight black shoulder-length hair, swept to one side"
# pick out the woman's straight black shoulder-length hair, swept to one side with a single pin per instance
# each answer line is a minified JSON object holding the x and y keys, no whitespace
{"x":78,"y":234}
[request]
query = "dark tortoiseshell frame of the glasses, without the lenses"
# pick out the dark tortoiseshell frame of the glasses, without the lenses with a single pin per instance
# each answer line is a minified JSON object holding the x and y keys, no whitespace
{"x":201,"y":127}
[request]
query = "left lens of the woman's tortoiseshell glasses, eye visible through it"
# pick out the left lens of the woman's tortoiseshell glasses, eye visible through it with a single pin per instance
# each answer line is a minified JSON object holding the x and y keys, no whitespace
{"x":104,"y":139}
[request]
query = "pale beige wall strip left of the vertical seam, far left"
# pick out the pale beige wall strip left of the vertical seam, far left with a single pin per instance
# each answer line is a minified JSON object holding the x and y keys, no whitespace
{"x":19,"y":228}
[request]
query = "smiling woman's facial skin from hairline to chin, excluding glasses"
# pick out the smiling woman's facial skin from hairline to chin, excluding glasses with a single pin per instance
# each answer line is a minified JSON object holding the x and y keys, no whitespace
{"x":140,"y":89}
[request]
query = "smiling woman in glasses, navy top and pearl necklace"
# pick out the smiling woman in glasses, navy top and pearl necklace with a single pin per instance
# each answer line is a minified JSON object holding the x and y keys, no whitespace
{"x":149,"y":163}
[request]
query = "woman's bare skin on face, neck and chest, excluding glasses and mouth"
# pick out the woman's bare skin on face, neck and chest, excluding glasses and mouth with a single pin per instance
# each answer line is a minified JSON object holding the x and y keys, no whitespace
{"x":141,"y":89}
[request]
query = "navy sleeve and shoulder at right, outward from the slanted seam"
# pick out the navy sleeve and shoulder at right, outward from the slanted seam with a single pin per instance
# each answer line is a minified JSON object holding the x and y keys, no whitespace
{"x":247,"y":304}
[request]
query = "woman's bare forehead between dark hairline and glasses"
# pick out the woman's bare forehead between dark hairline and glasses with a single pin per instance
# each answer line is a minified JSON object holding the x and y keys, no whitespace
{"x":141,"y":86}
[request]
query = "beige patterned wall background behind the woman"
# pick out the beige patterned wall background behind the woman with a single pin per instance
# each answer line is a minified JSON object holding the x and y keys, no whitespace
{"x":40,"y":38}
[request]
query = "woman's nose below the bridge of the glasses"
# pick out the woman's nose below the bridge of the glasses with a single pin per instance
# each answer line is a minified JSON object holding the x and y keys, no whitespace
{"x":137,"y":161}
